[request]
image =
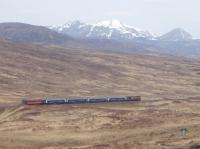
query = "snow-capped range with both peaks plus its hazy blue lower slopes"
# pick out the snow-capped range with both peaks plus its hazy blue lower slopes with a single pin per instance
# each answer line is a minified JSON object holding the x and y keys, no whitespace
{"x":130,"y":39}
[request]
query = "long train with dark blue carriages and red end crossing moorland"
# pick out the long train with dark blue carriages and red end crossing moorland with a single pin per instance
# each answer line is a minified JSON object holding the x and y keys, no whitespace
{"x":81,"y":100}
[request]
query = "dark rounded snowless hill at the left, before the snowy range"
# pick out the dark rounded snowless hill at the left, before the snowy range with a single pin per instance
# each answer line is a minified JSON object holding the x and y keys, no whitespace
{"x":26,"y":33}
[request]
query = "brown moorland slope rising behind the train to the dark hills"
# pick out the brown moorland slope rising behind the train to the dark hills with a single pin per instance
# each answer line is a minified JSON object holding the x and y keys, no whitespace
{"x":30,"y":71}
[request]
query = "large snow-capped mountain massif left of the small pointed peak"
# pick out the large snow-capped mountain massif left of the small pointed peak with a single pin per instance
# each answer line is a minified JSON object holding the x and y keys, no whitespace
{"x":109,"y":29}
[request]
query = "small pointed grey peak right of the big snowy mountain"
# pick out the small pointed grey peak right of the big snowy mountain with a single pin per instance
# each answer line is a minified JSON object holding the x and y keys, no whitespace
{"x":177,"y":34}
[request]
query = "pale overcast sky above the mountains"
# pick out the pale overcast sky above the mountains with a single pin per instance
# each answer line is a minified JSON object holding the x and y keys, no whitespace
{"x":156,"y":16}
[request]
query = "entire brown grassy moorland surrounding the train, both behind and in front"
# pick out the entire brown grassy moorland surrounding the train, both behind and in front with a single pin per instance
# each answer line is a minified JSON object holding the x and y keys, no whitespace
{"x":169,"y":87}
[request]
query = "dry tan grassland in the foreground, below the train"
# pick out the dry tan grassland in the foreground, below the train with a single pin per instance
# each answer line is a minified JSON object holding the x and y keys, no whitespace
{"x":154,"y":124}
